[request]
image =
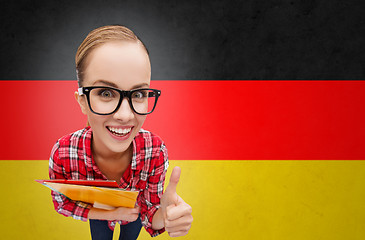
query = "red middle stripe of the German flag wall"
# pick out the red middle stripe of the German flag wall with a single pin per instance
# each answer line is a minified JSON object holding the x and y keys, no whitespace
{"x":204,"y":119}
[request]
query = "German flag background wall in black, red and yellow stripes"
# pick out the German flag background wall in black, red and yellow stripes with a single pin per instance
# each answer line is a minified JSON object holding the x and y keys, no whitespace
{"x":262,"y":107}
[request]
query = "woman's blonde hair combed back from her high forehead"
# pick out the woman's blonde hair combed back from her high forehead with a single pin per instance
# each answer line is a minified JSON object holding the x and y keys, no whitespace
{"x":96,"y":38}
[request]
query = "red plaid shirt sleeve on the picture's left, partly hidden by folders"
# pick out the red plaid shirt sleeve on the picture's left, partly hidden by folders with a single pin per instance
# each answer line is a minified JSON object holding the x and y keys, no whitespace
{"x":63,"y":205}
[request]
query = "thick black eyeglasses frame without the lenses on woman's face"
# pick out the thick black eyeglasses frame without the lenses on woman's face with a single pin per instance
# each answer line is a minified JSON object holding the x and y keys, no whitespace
{"x":86,"y":91}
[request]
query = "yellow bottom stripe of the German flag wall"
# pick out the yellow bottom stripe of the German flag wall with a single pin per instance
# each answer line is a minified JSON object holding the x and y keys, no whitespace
{"x":231,"y":200}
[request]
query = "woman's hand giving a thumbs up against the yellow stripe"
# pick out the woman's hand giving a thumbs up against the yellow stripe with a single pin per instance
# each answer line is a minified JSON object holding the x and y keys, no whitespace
{"x":176,"y":212}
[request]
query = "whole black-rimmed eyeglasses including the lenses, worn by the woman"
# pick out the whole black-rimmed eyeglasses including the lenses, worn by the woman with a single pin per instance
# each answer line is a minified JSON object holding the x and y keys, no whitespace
{"x":107,"y":100}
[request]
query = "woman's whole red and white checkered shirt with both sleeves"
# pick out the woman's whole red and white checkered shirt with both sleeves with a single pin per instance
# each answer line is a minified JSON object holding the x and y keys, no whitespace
{"x":71,"y":158}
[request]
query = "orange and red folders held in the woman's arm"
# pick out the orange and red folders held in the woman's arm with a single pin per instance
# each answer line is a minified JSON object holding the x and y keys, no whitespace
{"x":100,"y":196}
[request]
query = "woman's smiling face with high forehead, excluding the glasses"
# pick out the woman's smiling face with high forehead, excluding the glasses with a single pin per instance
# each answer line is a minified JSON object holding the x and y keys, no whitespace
{"x":124,"y":65}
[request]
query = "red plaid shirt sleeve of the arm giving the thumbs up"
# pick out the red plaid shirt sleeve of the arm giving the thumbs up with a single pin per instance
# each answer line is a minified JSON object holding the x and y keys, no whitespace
{"x":150,"y":199}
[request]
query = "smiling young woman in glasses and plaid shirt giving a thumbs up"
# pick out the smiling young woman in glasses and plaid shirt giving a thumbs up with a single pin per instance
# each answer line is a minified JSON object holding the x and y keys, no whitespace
{"x":114,"y":74}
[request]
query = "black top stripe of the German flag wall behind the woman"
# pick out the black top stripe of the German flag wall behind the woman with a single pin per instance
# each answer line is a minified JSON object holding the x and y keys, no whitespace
{"x":252,"y":39}
